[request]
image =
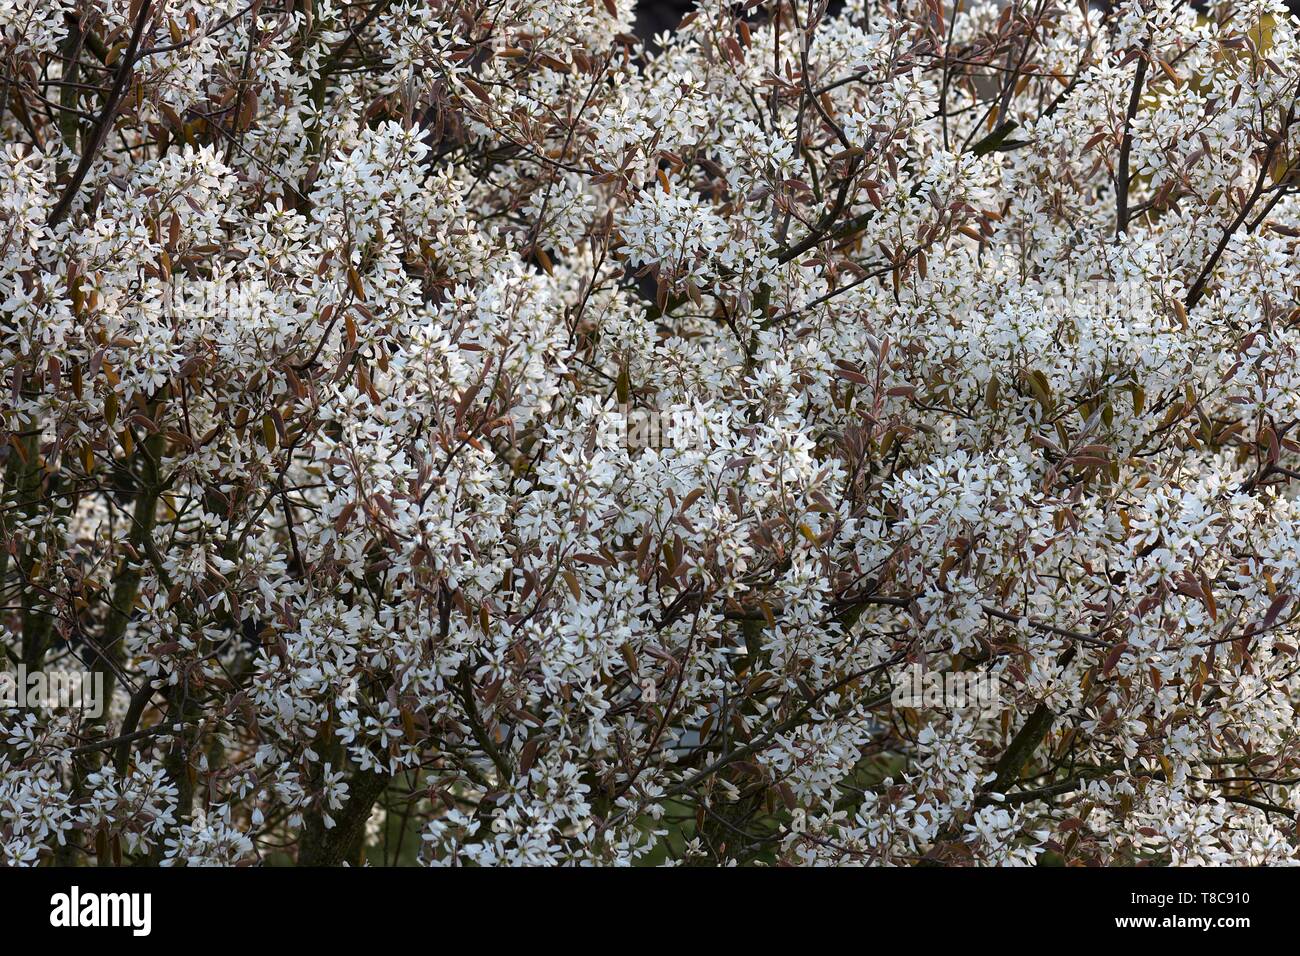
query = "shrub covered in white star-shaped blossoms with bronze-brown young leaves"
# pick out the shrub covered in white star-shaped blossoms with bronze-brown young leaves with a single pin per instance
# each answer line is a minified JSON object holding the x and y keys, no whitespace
{"x":319,"y":322}
